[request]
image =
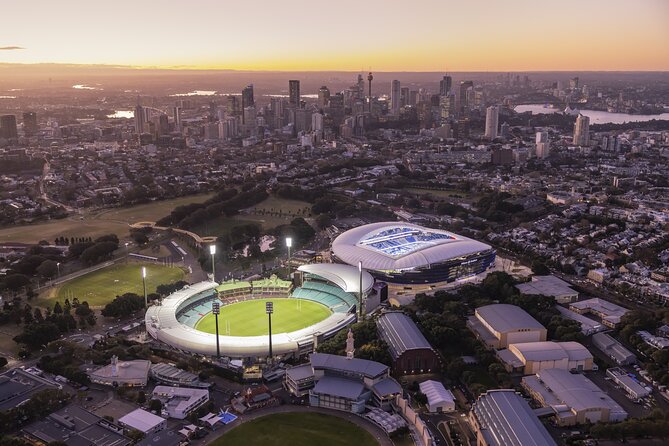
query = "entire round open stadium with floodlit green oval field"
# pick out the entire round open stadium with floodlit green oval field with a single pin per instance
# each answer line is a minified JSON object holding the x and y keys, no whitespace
{"x":326,"y":300}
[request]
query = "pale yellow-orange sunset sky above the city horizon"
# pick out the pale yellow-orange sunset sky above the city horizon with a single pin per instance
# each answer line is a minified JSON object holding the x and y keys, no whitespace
{"x":454,"y":36}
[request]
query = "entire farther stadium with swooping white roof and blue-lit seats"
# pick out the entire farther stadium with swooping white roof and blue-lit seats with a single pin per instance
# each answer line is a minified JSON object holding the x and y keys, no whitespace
{"x":407,"y":254}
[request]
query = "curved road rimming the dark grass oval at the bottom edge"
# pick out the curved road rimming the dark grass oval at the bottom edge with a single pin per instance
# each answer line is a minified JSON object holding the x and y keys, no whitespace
{"x":378,"y":433}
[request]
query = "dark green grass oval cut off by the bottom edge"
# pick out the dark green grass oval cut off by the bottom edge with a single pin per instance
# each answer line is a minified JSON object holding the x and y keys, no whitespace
{"x":297,"y":429}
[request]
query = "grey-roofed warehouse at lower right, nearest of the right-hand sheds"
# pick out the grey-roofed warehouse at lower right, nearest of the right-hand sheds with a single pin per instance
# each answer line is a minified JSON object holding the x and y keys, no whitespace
{"x":573,"y":397}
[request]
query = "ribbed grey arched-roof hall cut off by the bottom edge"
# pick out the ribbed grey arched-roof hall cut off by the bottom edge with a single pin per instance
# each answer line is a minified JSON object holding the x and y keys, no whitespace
{"x":503,"y":418}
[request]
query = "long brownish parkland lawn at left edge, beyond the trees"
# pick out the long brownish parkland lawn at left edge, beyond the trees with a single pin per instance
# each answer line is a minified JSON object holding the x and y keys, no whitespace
{"x":112,"y":221}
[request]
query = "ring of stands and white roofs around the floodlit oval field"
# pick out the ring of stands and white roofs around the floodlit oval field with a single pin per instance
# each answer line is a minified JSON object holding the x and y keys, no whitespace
{"x":173,"y":320}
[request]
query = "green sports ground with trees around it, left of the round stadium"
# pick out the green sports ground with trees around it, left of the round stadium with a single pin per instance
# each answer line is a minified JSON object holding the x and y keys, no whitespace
{"x":102,"y":286}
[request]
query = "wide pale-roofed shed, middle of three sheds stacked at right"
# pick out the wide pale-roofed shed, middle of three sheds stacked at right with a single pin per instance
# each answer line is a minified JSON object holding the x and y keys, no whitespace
{"x":531,"y":357}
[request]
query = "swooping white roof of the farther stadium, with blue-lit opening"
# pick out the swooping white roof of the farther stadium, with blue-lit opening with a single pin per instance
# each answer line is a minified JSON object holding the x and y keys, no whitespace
{"x":392,"y":246}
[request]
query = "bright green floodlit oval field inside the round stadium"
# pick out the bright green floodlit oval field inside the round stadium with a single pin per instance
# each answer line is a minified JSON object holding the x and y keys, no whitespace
{"x":249,"y":318}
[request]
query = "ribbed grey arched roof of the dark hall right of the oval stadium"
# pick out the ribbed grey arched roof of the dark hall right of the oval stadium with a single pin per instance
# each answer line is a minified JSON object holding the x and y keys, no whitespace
{"x":401,"y":333}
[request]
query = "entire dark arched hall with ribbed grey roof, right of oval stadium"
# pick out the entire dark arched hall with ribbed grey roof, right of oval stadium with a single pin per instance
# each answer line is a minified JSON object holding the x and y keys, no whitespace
{"x":411,"y":352}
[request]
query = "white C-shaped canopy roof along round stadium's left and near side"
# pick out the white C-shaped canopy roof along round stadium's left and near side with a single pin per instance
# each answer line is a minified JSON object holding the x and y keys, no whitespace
{"x":162,"y":324}
